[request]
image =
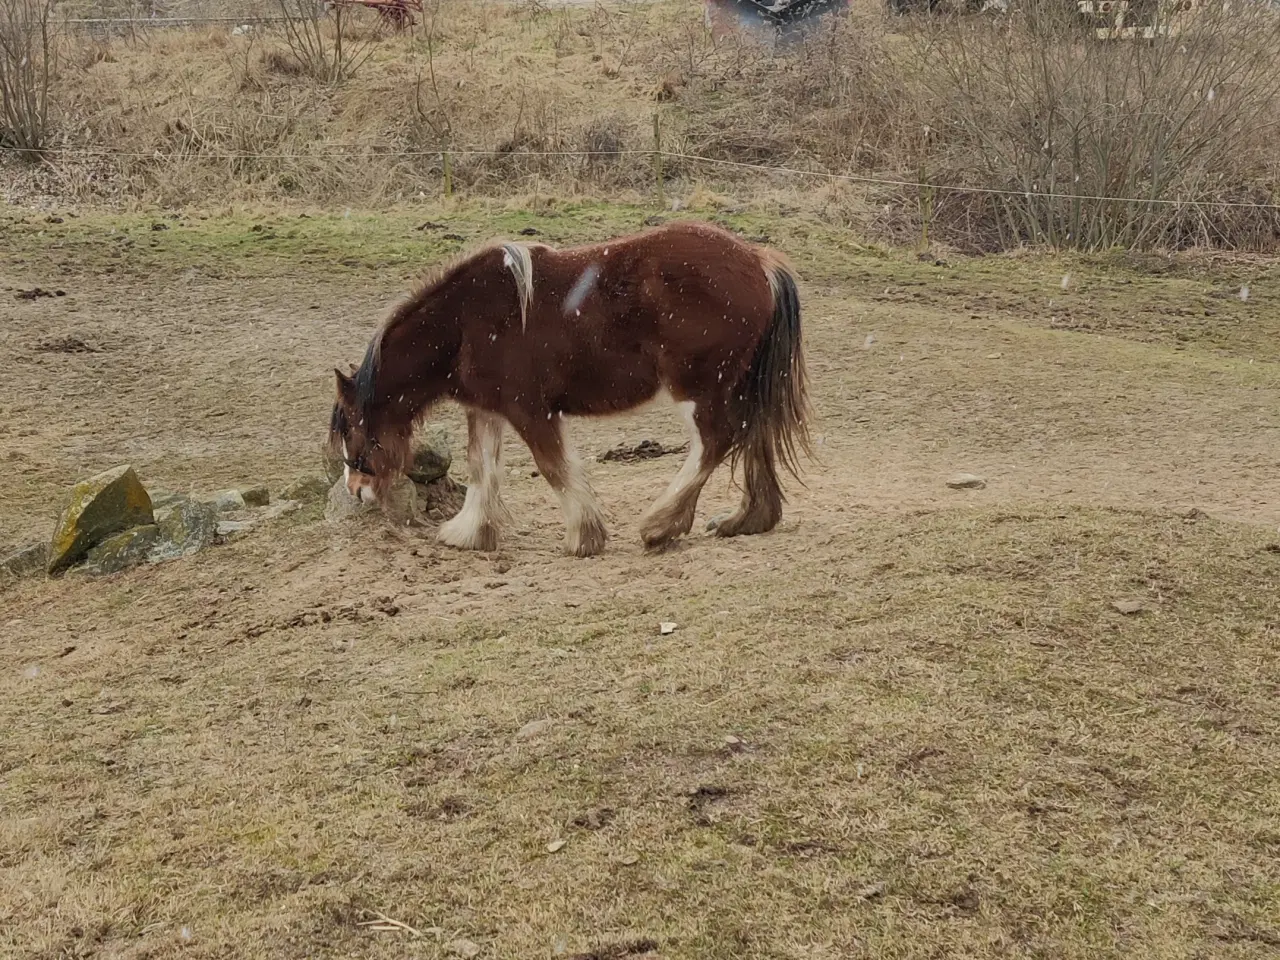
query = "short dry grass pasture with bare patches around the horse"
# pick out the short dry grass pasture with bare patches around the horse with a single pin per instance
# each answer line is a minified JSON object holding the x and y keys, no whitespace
{"x":908,"y":724}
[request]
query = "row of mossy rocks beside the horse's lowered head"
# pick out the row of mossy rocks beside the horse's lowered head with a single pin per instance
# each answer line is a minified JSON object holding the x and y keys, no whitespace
{"x":112,"y":523}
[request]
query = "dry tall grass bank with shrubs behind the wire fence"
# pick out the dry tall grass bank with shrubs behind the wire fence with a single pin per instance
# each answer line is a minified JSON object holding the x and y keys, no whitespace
{"x":527,"y":98}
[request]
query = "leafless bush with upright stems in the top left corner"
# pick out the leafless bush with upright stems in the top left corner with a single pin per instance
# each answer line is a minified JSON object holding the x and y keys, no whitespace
{"x":29,"y":57}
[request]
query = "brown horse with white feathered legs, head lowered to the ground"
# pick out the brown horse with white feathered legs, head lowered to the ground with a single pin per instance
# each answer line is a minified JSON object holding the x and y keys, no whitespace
{"x":525,"y":335}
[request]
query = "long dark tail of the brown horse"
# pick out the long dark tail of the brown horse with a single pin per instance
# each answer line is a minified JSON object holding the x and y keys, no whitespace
{"x":774,"y":422}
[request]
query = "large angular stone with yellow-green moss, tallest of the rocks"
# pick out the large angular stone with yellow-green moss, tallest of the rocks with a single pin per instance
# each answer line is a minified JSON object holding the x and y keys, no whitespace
{"x":98,"y":509}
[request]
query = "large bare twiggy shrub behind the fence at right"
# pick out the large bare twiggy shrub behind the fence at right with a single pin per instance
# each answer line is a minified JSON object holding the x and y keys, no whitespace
{"x":1094,"y":140}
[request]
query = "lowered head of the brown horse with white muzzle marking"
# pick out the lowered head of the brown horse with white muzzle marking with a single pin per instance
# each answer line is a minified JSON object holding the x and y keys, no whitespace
{"x":373,"y":452}
